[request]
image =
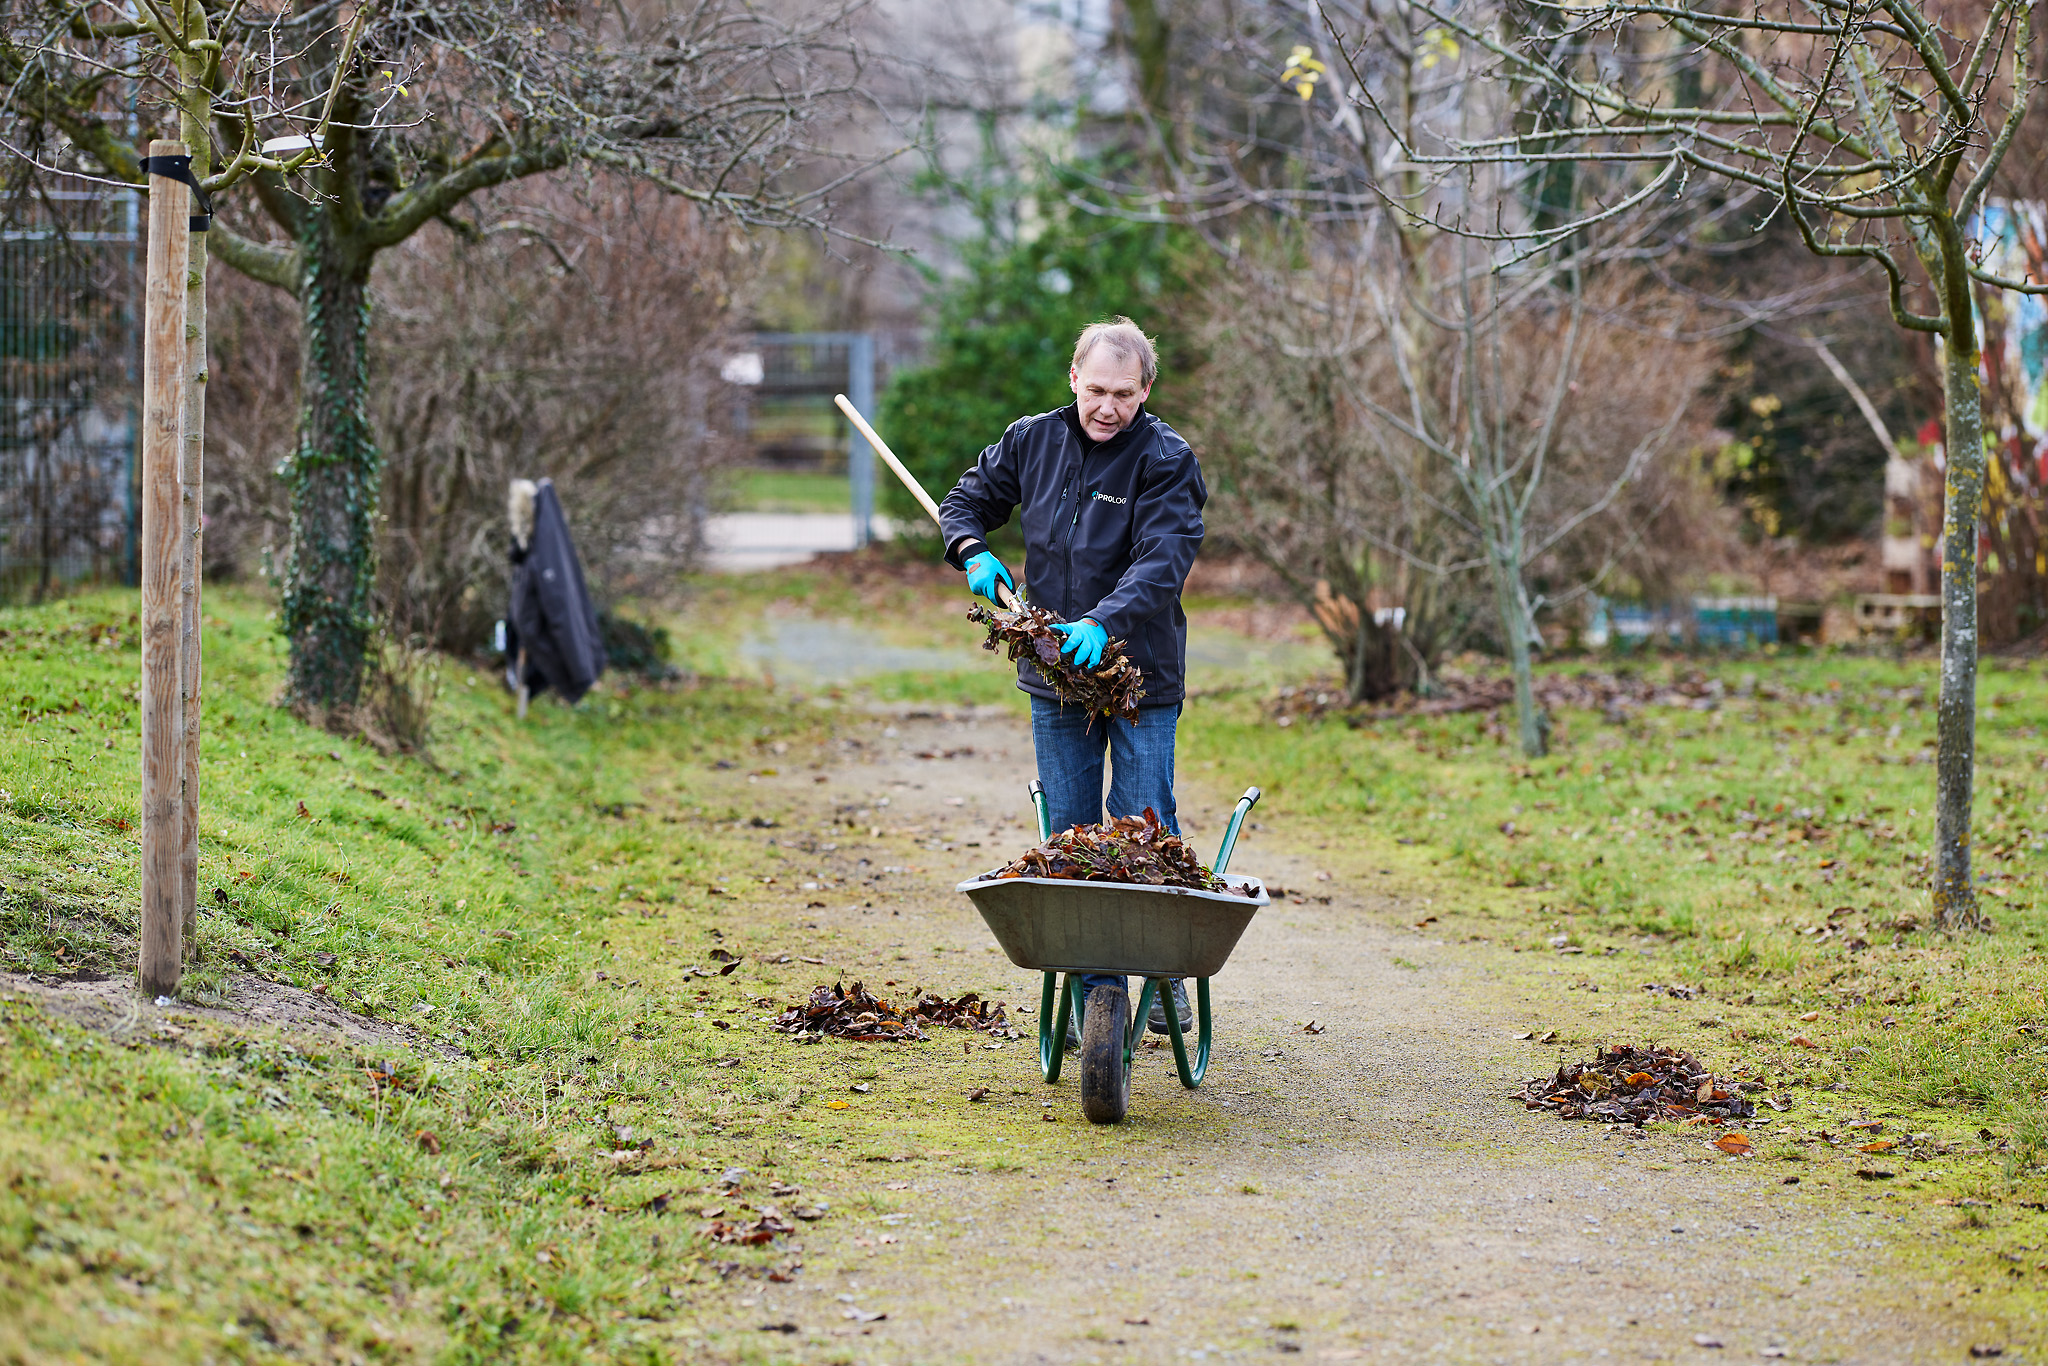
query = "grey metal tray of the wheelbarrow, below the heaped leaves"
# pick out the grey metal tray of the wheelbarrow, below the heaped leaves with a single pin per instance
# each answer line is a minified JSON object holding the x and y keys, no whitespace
{"x":1072,"y":927}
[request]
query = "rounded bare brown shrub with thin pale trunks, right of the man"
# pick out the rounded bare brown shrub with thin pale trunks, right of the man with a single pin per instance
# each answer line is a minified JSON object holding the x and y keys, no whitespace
{"x":1379,"y":450}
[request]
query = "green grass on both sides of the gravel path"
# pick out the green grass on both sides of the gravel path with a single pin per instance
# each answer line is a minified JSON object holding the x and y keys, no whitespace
{"x":214,"y":1193}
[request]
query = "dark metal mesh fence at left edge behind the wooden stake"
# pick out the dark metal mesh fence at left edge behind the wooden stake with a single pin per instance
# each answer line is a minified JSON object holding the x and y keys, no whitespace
{"x":67,"y":382}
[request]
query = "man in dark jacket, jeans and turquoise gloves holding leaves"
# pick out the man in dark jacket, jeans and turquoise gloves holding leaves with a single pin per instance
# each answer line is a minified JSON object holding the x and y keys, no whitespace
{"x":1111,"y":503}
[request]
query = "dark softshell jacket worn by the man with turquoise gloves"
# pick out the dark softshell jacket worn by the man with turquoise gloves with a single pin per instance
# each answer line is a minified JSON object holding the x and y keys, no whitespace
{"x":1111,"y":531}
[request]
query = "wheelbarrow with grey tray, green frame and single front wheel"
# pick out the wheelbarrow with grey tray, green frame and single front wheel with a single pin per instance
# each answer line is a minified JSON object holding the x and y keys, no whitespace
{"x":1072,"y":929}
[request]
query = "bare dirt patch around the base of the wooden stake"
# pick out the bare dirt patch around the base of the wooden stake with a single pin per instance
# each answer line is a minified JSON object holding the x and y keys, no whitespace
{"x":112,"y":1007}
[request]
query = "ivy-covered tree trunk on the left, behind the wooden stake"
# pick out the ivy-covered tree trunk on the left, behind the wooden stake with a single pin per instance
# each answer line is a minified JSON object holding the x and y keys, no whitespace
{"x":333,"y":476}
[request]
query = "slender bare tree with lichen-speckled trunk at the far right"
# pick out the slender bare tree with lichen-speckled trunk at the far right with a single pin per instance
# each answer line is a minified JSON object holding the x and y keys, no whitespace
{"x":1877,"y":130}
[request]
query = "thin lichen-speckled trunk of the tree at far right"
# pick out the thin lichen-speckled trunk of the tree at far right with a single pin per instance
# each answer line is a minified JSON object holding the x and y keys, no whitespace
{"x":1955,"y":896}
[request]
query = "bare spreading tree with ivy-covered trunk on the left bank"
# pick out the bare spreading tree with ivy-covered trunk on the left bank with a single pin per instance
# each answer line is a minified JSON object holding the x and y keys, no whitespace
{"x":335,"y":132}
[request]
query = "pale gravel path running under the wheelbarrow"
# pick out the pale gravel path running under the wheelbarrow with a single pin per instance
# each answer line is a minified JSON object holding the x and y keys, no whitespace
{"x":1357,"y":1195}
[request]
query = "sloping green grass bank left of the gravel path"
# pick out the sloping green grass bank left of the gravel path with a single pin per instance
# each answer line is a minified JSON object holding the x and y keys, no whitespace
{"x":204,"y":1193}
